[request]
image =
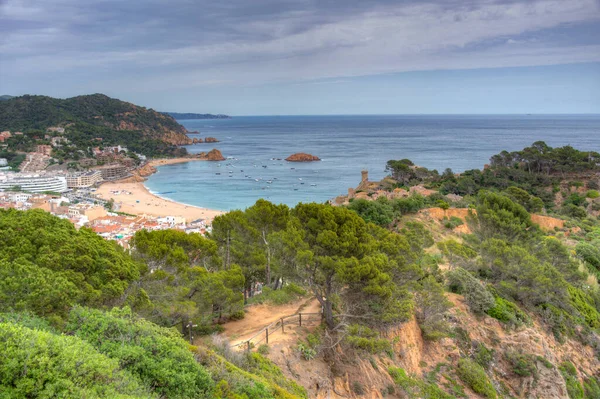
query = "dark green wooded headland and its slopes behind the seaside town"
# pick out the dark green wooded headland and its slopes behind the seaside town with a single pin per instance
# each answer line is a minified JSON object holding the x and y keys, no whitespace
{"x":92,"y":117}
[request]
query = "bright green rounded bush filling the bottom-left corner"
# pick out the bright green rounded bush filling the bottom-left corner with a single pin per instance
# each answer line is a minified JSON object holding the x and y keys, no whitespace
{"x":40,"y":364}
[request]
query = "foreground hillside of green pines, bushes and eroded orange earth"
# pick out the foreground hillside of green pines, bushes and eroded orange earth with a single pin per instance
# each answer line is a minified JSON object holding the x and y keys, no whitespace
{"x":487,"y":304}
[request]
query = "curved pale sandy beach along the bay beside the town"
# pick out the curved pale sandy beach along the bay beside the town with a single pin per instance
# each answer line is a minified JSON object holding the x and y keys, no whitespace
{"x":134,"y":198}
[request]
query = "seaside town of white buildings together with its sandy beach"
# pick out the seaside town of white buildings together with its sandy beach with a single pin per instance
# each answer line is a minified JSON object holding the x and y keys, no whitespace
{"x":102,"y":192}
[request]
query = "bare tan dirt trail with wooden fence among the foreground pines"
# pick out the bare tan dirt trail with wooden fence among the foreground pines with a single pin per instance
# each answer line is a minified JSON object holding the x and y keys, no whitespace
{"x":259,"y":316}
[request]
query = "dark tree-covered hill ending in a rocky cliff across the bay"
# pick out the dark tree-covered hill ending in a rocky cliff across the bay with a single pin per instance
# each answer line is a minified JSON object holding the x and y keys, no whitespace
{"x":40,"y":112}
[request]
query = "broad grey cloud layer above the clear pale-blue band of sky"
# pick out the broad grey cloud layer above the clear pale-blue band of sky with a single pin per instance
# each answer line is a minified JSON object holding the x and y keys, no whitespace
{"x":260,"y":41}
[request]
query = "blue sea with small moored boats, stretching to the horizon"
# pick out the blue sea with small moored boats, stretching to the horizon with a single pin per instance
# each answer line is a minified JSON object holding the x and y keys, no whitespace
{"x":256,"y":146}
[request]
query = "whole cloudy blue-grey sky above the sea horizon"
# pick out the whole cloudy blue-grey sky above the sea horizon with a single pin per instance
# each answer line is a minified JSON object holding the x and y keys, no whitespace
{"x":284,"y":57}
